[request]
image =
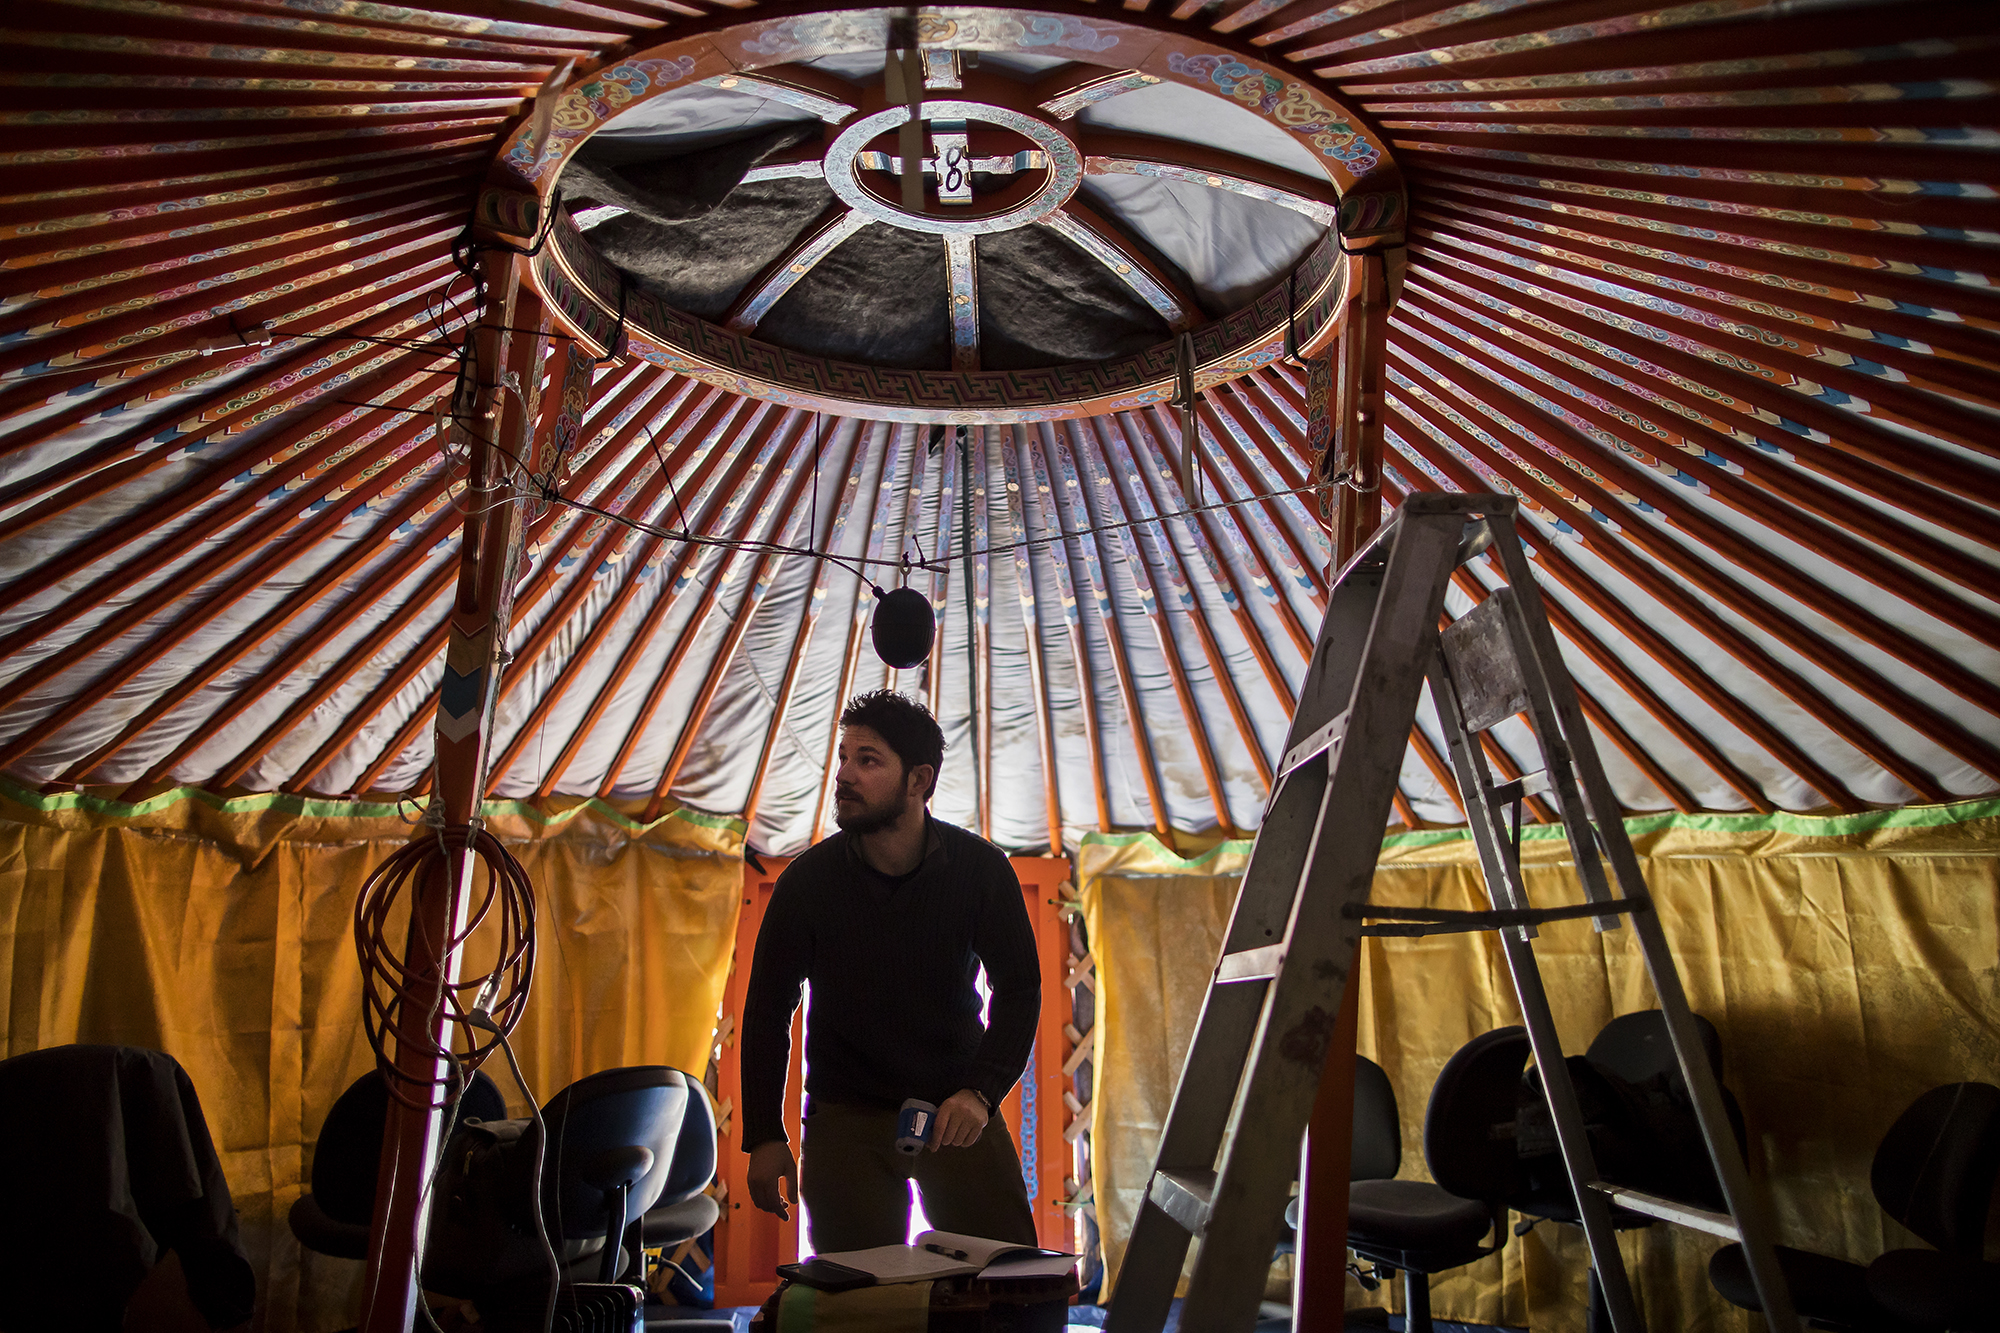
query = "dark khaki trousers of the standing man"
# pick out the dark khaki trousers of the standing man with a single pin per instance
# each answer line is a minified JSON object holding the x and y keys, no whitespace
{"x":857,"y":1186}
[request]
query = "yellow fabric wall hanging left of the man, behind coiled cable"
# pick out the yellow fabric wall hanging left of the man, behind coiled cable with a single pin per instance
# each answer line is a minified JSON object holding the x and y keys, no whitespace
{"x":223,"y":934}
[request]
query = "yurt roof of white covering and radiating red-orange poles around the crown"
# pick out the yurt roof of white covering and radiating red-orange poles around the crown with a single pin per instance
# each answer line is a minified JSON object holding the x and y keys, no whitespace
{"x":1707,"y":285}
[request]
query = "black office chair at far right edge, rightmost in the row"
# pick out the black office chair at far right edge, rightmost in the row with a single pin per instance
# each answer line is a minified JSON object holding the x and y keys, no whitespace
{"x":1935,"y":1174}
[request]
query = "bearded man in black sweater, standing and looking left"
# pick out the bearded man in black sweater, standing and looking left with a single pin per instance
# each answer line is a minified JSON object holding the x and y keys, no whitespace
{"x":889,"y":922}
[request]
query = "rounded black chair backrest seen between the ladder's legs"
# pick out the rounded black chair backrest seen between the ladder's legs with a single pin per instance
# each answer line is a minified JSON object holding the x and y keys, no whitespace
{"x":1473,"y":1096}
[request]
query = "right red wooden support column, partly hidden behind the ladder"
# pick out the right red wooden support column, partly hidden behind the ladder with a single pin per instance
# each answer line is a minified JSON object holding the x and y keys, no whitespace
{"x":1353,"y":387}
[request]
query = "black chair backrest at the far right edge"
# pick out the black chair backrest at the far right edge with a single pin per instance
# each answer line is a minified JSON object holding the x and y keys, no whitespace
{"x":1937,"y":1166}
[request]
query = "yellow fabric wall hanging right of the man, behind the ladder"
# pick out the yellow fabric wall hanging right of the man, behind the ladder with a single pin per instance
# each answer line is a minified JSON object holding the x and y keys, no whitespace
{"x":1849,"y":964}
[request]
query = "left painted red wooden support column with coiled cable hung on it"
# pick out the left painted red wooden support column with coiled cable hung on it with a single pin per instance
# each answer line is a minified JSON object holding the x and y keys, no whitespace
{"x":497,"y":407}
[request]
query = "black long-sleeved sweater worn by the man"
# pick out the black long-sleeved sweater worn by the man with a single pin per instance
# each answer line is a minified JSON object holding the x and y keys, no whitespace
{"x":893,"y":968}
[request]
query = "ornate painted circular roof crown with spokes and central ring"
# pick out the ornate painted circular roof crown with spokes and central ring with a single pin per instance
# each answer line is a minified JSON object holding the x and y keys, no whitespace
{"x":1085,"y":195}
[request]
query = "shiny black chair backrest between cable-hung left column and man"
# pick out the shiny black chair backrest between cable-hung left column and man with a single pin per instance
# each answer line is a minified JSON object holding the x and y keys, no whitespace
{"x":639,"y":1106}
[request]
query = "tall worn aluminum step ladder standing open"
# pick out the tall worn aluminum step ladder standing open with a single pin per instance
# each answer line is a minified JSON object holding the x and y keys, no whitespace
{"x":1231,"y":1144}
